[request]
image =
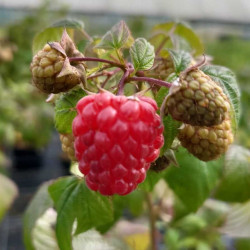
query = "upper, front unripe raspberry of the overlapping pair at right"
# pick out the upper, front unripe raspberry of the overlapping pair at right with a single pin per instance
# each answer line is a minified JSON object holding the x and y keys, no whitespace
{"x":197,"y":100}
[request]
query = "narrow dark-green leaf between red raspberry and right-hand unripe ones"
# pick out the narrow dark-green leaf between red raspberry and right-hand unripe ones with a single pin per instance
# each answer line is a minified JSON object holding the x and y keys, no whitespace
{"x":171,"y":129}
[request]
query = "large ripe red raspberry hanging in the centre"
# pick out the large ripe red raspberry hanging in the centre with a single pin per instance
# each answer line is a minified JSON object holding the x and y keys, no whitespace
{"x":116,"y":139}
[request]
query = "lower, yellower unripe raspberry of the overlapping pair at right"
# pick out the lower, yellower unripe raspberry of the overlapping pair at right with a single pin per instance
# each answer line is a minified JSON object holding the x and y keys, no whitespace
{"x":206,"y":143}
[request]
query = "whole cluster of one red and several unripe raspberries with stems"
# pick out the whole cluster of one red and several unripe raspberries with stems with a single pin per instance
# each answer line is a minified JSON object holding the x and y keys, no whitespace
{"x":116,"y":138}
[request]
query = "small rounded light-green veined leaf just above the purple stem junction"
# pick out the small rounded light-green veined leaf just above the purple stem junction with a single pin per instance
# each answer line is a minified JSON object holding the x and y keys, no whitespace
{"x":142,"y":54}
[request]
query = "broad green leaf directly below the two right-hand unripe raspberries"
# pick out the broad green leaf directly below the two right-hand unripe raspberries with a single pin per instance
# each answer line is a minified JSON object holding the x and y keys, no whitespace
{"x":193,"y":181}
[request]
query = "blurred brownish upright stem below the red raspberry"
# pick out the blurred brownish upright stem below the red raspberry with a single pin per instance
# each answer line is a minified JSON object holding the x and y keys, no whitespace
{"x":151,"y":220}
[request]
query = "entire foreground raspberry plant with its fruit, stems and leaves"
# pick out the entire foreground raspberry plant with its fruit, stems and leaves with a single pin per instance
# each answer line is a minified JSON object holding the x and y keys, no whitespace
{"x":129,"y":111}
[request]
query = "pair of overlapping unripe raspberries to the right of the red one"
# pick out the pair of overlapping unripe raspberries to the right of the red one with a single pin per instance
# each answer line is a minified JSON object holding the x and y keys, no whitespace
{"x":202,"y":106}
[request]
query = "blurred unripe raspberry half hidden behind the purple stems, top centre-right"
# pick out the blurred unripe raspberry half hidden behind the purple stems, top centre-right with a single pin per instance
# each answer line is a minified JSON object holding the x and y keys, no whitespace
{"x":162,"y":68}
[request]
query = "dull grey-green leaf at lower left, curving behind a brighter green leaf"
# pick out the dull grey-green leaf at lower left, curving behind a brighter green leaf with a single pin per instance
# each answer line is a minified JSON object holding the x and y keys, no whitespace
{"x":39,"y":204}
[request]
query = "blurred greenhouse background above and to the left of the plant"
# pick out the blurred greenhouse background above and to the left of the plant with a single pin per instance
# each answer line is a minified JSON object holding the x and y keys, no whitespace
{"x":30,"y":150}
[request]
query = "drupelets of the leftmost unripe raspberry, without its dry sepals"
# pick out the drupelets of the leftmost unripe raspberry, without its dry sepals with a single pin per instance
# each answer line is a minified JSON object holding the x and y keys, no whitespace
{"x":46,"y":66}
